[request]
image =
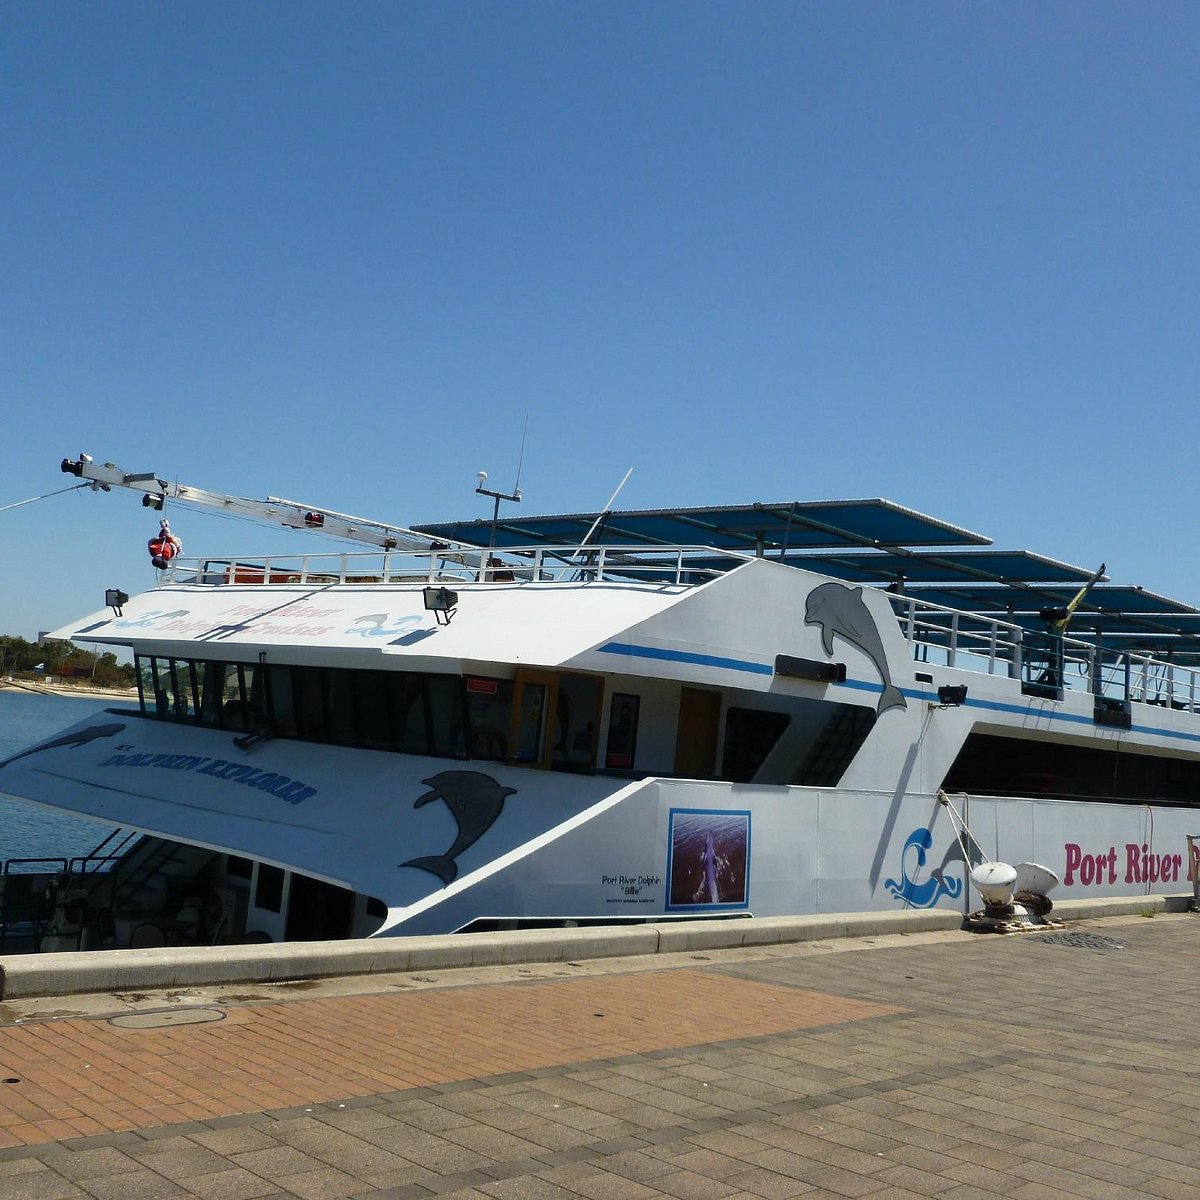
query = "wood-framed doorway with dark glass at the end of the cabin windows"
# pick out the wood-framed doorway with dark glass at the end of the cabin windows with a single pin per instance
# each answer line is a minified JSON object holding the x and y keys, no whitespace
{"x":555,"y":718}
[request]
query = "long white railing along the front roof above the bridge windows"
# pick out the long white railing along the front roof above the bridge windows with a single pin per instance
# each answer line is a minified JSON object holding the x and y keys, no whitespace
{"x":671,"y":566}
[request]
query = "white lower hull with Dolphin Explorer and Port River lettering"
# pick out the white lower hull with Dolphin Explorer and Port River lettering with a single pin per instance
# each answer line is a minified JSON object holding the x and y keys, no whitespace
{"x":448,"y":844}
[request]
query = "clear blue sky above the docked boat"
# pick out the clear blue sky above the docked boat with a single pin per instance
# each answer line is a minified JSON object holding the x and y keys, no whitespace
{"x":940,"y":253}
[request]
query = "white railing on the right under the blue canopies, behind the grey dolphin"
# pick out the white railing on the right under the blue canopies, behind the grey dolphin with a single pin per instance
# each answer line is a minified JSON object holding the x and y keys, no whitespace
{"x":1047,"y":665}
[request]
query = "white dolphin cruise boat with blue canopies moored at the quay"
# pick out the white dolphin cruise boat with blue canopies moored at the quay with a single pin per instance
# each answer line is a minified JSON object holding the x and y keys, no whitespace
{"x":614,"y":717}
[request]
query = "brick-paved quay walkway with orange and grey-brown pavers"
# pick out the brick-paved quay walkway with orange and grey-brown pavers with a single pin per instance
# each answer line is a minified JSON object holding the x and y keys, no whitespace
{"x":941,"y":1065}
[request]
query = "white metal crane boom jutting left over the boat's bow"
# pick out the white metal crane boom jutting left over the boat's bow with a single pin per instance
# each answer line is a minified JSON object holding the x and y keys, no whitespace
{"x":291,"y":514}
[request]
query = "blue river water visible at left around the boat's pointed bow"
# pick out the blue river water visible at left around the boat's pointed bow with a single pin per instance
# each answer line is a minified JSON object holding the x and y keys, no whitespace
{"x":26,"y":830}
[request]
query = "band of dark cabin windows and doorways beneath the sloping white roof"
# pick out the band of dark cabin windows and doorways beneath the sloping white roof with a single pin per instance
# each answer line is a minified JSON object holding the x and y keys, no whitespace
{"x":541,"y":719}
